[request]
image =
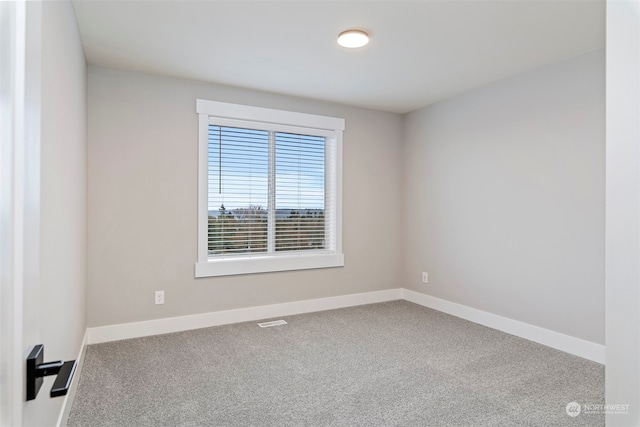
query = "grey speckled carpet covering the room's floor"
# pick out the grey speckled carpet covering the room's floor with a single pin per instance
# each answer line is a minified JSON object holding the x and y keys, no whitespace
{"x":389,"y":364}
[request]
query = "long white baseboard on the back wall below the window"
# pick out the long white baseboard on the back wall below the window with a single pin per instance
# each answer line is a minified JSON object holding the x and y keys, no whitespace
{"x":205,"y":320}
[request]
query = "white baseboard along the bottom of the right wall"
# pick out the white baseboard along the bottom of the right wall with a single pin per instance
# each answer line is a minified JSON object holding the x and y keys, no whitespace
{"x":566,"y":343}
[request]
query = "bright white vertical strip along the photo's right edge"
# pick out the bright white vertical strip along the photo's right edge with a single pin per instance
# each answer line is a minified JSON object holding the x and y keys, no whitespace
{"x":623,"y":211}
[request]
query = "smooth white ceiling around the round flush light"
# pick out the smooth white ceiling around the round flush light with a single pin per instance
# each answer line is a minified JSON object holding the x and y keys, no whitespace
{"x":420,"y":51}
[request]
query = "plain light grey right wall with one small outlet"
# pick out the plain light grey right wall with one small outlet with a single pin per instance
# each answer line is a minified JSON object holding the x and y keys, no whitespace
{"x":504,"y":198}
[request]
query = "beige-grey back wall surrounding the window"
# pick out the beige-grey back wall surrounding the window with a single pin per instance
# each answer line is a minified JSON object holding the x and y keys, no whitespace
{"x":143,"y":201}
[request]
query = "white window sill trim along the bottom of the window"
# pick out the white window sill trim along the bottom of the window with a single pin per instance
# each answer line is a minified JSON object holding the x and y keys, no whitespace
{"x":236,"y":266}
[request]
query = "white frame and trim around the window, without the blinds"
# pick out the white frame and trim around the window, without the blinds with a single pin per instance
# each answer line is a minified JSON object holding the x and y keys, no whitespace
{"x":269,"y":262}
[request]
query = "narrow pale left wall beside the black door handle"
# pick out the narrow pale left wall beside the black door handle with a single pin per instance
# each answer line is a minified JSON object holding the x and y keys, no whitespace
{"x":60,"y":307}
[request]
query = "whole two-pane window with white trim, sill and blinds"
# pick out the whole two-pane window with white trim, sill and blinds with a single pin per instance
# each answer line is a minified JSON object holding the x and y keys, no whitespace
{"x":269,"y":190}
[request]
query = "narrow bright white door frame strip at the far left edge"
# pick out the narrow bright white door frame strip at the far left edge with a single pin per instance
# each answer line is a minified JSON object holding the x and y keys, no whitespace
{"x":12,"y":112}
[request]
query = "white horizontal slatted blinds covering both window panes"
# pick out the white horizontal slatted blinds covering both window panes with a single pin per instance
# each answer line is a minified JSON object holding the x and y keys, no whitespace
{"x":267,"y":192}
